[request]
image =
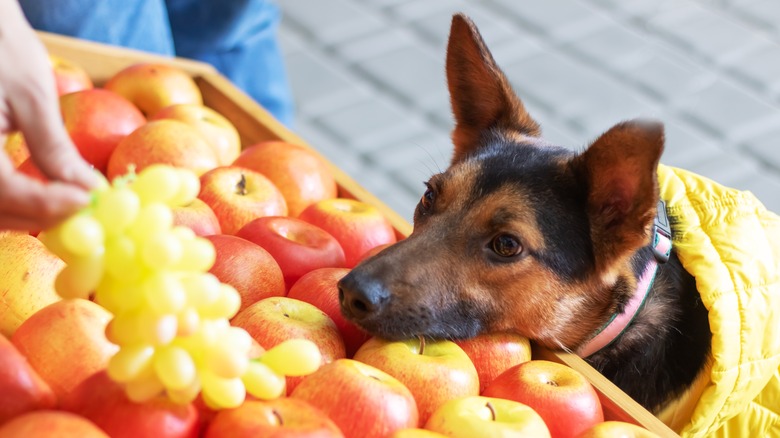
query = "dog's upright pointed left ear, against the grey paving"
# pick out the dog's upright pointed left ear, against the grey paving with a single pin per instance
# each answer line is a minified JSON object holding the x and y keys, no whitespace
{"x":480,"y":93}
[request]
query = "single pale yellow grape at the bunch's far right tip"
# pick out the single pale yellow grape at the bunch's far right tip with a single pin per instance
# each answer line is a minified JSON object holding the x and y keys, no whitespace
{"x":293,"y":357}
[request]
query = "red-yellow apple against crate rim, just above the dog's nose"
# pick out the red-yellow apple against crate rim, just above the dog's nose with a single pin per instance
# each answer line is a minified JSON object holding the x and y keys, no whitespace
{"x":356,"y":225}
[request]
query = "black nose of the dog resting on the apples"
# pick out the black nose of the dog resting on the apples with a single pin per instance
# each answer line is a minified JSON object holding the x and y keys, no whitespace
{"x":361,"y":295}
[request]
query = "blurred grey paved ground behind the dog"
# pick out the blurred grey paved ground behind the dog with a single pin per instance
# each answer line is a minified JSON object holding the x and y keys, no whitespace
{"x":369,"y":81}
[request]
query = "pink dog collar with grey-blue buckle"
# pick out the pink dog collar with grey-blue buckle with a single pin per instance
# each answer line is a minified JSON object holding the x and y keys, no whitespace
{"x":662,"y":249}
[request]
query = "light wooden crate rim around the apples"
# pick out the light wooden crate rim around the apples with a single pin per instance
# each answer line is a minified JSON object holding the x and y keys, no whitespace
{"x":255,"y":124}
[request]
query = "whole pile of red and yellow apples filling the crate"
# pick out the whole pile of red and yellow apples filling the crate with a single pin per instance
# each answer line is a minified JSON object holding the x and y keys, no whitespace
{"x":282,"y":238}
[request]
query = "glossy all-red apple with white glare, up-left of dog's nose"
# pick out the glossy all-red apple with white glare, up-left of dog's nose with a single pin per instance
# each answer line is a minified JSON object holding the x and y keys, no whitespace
{"x":299,"y":247}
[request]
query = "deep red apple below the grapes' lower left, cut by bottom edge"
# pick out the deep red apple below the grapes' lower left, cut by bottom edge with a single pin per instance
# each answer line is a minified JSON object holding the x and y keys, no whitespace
{"x":103,"y":401}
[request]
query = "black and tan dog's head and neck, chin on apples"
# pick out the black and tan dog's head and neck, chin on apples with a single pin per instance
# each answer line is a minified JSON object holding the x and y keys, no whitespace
{"x":522,"y":235}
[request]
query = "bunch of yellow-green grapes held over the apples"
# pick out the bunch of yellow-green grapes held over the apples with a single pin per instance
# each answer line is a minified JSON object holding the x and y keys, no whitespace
{"x":171,"y":316}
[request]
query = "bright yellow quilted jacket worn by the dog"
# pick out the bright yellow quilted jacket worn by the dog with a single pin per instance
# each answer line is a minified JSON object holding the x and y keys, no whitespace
{"x":730,"y":243}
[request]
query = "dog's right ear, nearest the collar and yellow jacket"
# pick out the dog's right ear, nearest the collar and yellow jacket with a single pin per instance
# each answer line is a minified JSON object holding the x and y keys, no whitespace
{"x":619,"y":170}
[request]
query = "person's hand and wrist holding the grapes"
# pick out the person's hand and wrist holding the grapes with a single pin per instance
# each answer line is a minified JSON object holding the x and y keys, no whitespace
{"x":29,"y":103}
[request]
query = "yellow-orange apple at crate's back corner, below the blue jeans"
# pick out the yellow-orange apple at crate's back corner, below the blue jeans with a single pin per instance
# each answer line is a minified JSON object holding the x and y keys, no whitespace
{"x":153,"y":86}
